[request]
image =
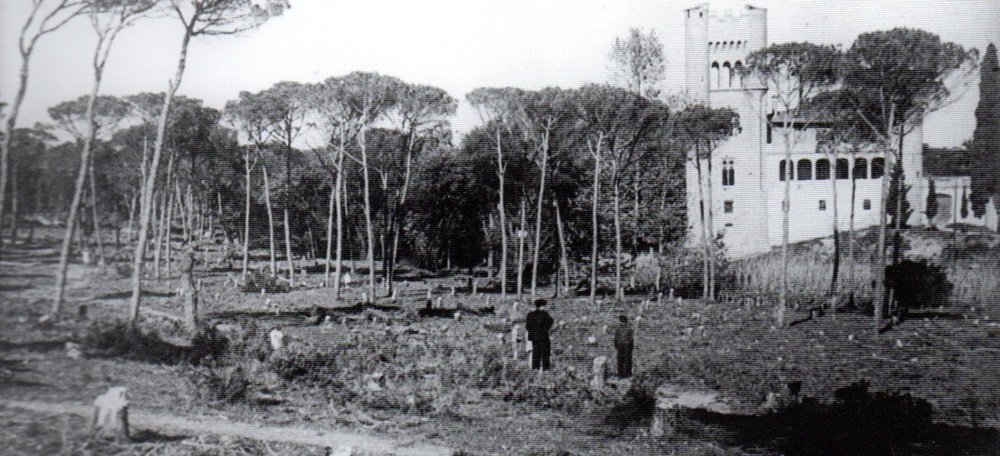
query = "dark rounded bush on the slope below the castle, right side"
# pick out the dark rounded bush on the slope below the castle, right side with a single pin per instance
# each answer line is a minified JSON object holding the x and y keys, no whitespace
{"x":918,"y":284}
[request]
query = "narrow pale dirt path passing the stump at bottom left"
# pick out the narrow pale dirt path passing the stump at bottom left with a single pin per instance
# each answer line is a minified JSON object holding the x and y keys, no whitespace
{"x":339,"y":442}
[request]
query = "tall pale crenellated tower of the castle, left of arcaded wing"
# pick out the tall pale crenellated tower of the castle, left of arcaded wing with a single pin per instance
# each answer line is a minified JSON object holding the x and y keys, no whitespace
{"x":716,"y":47}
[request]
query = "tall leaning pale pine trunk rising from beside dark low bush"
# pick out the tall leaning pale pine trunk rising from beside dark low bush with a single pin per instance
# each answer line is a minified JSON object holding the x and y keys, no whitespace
{"x":147,"y":202}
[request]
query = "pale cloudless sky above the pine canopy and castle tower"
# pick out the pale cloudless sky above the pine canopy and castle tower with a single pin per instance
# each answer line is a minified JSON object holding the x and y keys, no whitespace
{"x":457,"y":45}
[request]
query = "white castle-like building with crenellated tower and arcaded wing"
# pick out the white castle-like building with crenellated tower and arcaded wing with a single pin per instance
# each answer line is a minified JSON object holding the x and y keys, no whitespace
{"x":747,"y":178}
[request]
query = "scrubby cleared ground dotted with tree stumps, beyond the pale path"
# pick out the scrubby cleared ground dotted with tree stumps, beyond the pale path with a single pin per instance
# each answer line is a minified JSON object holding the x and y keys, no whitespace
{"x":385,"y":369}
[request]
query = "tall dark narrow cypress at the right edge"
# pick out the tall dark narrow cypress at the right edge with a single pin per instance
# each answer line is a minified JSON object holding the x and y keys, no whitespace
{"x":986,"y":138}
